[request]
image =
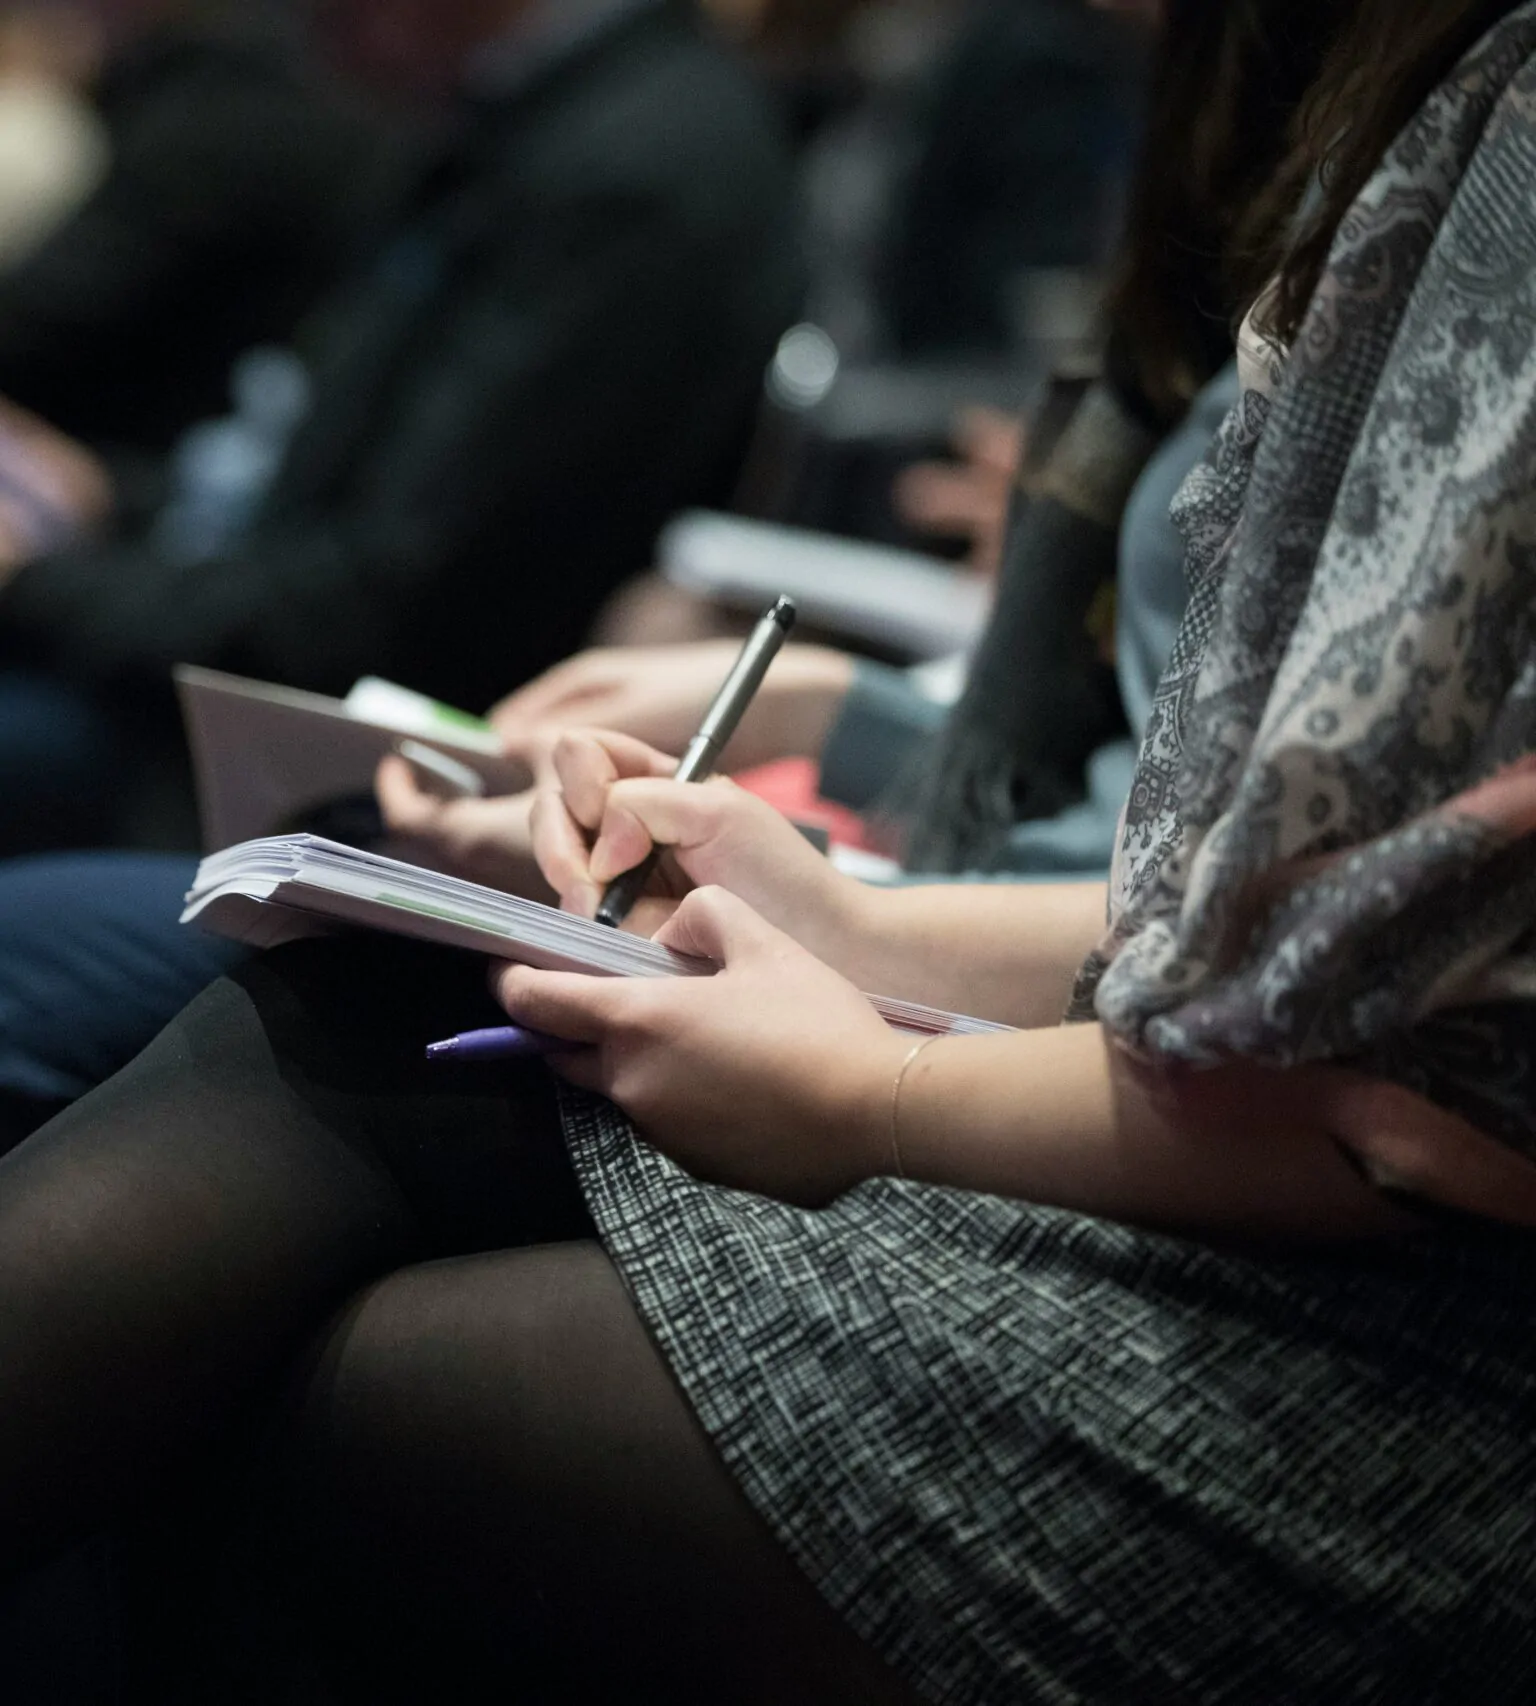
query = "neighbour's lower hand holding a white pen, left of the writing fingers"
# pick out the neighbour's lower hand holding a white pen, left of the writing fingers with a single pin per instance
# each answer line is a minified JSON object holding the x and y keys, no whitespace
{"x":487,"y":842}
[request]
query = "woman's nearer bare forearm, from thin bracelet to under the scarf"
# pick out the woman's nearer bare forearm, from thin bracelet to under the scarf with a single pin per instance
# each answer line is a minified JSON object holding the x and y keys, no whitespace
{"x":1066,"y":1118}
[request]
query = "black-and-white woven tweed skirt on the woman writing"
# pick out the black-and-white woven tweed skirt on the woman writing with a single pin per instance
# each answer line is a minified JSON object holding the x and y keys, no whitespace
{"x":1047,"y":1459}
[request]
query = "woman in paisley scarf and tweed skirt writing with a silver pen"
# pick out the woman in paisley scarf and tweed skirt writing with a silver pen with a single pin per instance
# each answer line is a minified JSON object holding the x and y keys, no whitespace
{"x":1177,"y":1354}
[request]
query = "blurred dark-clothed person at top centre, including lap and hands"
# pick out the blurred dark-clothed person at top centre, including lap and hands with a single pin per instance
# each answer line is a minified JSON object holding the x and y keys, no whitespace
{"x":962,"y":200}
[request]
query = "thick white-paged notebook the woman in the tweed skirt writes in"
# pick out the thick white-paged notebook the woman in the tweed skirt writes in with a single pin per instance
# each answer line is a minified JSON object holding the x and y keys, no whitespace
{"x":284,"y":888}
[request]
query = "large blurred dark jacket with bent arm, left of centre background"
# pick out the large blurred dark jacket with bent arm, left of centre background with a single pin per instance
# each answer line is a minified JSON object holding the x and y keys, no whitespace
{"x":561,"y":347}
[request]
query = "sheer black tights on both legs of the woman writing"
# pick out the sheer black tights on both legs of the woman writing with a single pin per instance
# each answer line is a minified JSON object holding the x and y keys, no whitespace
{"x":279,"y":1239}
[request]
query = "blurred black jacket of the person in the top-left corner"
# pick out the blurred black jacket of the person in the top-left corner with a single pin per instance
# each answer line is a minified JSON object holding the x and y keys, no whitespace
{"x":241,"y":189}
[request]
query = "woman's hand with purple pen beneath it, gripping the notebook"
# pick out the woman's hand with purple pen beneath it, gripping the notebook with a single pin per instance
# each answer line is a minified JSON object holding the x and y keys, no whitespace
{"x":774,"y":1076}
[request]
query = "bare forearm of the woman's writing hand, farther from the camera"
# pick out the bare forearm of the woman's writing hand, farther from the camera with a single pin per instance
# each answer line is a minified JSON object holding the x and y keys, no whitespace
{"x":999,"y":953}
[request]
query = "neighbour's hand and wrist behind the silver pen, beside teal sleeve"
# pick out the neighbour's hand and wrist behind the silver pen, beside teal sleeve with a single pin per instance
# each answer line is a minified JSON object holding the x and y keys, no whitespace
{"x":661,"y":693}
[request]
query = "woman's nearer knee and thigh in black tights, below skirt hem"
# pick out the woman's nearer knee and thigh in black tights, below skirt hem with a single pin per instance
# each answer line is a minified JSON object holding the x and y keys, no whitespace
{"x":497,"y":1492}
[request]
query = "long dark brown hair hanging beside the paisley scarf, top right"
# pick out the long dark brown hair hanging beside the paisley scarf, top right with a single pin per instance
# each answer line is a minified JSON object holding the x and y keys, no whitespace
{"x":1254,"y":103}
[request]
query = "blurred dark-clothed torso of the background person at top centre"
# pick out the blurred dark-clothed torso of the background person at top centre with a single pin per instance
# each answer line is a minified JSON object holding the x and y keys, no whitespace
{"x":970,"y":144}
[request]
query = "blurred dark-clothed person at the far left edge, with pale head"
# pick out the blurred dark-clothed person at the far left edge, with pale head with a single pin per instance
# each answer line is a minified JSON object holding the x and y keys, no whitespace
{"x":178,"y":182}
